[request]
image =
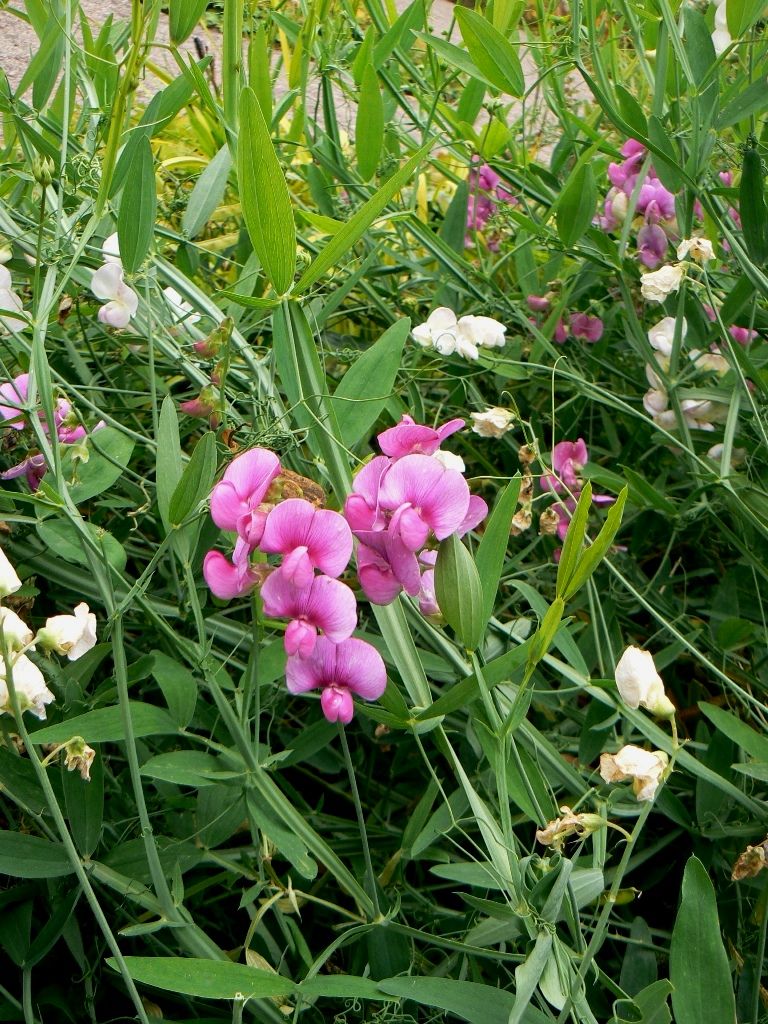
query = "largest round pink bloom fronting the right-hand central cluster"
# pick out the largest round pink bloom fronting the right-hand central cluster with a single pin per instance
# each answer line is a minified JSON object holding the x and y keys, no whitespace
{"x":423,"y":496}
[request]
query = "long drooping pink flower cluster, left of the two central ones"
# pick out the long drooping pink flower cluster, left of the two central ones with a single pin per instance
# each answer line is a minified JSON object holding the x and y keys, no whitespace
{"x":316,"y":545}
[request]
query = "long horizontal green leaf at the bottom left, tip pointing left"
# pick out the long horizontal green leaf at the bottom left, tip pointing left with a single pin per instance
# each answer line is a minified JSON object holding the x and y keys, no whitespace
{"x":206,"y":979}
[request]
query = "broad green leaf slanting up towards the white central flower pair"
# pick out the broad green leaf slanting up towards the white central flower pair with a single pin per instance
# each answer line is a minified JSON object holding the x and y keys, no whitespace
{"x":367,"y":387}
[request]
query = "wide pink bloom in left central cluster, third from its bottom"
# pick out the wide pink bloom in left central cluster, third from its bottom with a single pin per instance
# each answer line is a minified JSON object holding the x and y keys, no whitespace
{"x":309,"y":538}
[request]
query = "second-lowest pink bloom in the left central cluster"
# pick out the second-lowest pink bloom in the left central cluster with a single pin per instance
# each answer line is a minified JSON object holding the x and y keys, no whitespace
{"x":326,"y":605}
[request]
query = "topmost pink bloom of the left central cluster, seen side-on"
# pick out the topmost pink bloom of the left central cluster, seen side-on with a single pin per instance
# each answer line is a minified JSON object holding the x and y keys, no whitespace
{"x":237,"y":498}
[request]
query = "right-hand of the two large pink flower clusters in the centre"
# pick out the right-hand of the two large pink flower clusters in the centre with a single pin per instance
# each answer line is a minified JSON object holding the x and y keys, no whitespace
{"x":402,"y":502}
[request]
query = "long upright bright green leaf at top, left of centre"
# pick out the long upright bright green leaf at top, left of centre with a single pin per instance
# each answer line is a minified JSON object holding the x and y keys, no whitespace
{"x":268,"y":209}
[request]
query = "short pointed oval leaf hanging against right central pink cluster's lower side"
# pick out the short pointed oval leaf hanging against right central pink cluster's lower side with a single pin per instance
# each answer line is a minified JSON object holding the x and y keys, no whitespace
{"x":459,"y":591}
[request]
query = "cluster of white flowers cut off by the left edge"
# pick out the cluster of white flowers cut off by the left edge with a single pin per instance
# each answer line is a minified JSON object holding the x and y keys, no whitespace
{"x":71,"y":635}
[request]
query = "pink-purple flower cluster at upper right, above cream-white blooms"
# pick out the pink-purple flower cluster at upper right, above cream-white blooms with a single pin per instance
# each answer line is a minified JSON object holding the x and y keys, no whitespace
{"x":655,"y":207}
